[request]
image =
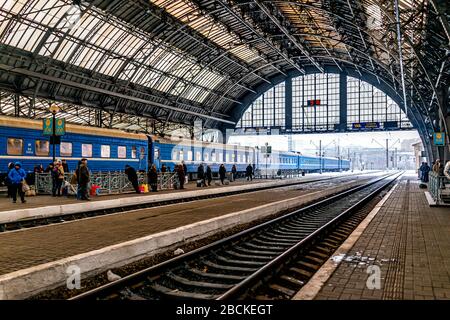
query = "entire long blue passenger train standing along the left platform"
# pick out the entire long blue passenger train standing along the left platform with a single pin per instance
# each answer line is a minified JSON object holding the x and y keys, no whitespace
{"x":110,"y":150}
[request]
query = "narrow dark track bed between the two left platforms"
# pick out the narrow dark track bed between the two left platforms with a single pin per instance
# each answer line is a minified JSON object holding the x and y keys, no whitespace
{"x":36,"y":222}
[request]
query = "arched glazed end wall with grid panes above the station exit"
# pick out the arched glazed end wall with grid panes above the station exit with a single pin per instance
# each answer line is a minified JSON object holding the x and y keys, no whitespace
{"x":365,"y":104}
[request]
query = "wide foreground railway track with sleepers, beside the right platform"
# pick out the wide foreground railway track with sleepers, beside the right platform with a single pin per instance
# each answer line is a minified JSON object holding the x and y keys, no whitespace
{"x":240,"y":265}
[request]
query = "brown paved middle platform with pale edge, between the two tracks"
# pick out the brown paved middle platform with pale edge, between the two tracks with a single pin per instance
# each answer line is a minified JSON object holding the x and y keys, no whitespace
{"x":37,"y":258}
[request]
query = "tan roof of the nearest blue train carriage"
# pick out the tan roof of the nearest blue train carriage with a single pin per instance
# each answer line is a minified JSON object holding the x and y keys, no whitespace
{"x":71,"y":128}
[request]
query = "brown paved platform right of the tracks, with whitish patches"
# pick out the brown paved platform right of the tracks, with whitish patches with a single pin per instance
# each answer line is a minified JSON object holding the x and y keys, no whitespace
{"x":401,"y":251}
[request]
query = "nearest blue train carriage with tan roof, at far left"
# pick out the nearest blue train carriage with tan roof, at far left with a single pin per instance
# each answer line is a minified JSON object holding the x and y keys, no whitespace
{"x":106,"y":149}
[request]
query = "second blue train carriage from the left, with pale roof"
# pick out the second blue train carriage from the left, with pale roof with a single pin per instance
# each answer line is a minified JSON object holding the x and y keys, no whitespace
{"x":172,"y":150}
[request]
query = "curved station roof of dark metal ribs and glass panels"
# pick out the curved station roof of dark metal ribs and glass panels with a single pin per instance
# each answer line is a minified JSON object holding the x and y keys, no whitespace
{"x":184,"y":60}
